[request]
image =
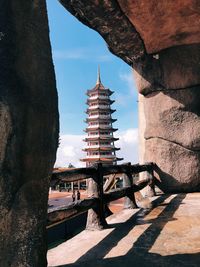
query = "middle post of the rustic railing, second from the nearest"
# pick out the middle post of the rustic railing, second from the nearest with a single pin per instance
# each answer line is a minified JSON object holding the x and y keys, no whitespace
{"x":129,"y":200}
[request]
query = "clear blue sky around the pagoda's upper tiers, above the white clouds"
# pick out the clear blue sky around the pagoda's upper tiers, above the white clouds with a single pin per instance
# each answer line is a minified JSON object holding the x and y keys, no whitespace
{"x":77,"y":52}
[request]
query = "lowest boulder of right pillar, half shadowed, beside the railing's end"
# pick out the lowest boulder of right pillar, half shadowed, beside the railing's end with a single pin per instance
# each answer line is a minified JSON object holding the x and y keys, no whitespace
{"x":177,"y":167}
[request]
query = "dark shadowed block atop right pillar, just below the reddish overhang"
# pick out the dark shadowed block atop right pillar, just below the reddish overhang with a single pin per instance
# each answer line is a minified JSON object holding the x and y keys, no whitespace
{"x":173,"y":68}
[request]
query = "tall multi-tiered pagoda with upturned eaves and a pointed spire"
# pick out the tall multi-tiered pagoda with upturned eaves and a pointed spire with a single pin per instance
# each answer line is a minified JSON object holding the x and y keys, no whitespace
{"x":100,"y":139}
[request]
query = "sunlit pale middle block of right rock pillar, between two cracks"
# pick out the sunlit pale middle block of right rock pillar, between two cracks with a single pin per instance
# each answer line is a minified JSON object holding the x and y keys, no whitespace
{"x":178,"y":111}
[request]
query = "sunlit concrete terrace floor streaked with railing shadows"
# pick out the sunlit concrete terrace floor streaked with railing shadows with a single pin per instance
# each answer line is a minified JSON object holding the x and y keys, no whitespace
{"x":166,"y":235}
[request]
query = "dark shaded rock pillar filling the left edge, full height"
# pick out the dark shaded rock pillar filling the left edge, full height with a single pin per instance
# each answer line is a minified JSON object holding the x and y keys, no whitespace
{"x":28,"y":131}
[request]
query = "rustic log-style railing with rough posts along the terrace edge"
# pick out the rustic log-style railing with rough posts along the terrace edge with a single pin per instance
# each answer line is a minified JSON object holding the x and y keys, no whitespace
{"x":97,"y":200}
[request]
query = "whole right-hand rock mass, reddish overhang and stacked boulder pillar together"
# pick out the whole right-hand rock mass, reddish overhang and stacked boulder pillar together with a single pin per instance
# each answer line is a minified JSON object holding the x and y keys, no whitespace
{"x":160,"y":40}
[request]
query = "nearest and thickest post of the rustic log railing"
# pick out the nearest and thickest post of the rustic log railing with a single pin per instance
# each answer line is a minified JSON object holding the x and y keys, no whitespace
{"x":96,"y":216}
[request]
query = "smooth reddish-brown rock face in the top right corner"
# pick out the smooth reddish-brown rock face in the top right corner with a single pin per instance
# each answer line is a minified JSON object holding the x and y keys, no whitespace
{"x":162,"y":24}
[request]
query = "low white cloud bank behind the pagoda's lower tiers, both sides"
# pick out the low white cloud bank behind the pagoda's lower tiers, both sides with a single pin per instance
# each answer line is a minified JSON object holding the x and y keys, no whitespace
{"x":70,"y":148}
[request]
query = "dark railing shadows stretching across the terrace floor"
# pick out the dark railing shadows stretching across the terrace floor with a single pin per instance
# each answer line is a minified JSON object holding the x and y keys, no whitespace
{"x":139,"y":254}
